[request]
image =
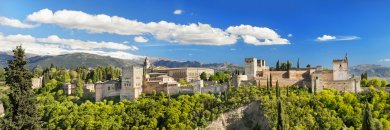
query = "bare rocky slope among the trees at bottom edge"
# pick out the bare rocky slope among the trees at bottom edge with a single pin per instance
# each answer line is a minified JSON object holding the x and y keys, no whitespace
{"x":247,"y":117}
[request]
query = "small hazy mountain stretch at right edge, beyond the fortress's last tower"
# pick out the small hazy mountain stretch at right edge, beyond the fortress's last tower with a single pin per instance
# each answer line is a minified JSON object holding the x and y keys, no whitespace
{"x":372,"y":70}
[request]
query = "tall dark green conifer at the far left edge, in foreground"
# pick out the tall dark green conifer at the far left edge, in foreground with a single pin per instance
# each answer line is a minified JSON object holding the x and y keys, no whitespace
{"x":23,"y":112}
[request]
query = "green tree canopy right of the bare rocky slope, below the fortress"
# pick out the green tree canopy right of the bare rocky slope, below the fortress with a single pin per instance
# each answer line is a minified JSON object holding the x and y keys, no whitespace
{"x":328,"y":109}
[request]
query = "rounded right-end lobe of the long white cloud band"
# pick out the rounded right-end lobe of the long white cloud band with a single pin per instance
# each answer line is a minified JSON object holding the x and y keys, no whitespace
{"x":257,"y":35}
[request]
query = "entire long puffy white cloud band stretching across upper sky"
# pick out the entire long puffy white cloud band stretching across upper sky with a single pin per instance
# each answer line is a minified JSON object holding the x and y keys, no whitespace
{"x":194,"y":33}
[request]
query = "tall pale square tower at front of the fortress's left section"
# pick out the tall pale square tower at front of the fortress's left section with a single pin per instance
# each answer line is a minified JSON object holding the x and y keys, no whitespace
{"x":131,"y":83}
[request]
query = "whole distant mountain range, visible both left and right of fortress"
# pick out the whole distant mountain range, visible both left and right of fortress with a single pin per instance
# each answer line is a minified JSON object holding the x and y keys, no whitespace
{"x":92,"y":60}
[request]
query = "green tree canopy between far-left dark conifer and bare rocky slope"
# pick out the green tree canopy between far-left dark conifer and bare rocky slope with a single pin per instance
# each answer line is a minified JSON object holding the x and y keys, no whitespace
{"x":154,"y":112}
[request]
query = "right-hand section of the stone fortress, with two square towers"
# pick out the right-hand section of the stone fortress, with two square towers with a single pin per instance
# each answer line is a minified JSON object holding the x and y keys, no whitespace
{"x":315,"y":79}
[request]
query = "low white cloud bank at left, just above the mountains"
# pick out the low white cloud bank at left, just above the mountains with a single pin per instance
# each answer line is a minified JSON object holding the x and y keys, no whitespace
{"x":54,"y":45}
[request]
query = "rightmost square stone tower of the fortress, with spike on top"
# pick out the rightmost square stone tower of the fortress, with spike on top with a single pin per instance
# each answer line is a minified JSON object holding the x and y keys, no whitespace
{"x":340,"y":69}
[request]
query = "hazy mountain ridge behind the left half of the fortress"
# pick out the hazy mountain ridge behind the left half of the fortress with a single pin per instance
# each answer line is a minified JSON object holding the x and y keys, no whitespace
{"x":92,"y":60}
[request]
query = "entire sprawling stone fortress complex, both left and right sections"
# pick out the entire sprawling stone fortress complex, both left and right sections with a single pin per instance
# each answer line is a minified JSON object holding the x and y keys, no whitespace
{"x":150,"y":80}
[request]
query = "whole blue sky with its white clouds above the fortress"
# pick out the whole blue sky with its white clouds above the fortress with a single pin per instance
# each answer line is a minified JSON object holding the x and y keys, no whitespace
{"x":209,"y":31}
